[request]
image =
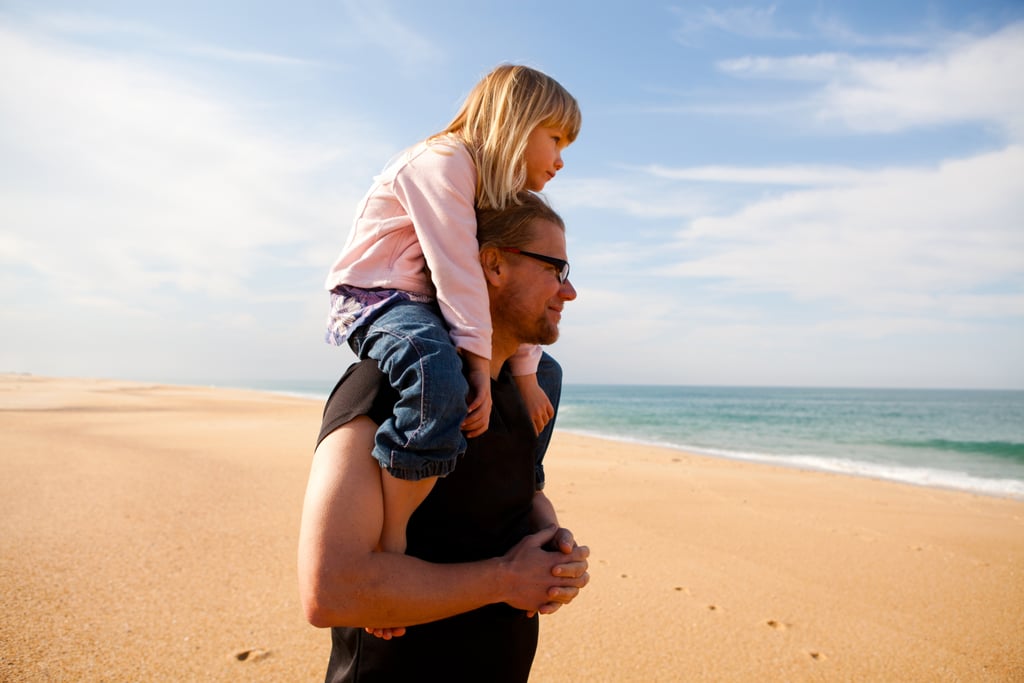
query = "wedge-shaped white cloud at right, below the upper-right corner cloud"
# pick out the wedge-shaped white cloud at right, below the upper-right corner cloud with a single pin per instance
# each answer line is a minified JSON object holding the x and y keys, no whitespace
{"x":912,"y":241}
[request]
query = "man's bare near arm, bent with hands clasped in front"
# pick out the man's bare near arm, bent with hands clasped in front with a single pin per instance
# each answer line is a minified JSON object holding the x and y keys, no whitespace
{"x":343,"y":582}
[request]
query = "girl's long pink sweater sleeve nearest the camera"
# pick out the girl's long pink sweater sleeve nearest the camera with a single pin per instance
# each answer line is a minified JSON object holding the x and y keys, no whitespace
{"x":438,"y":189}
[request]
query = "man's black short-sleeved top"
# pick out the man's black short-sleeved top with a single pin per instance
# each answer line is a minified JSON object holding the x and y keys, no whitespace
{"x":479,"y":511}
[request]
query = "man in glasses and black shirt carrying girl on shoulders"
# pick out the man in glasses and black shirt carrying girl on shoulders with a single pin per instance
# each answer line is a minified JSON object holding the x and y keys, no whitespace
{"x":486,"y":553}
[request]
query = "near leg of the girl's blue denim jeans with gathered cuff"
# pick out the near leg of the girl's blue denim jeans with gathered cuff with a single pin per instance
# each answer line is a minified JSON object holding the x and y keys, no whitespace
{"x":411,"y":345}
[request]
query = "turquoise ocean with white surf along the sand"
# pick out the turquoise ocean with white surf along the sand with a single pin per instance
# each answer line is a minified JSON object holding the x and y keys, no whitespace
{"x":964,"y":440}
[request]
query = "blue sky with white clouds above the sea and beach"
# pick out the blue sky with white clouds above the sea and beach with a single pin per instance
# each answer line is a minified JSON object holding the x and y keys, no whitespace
{"x":786,"y":194}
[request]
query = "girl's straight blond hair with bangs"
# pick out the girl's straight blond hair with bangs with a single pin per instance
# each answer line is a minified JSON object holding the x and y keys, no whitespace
{"x":496,"y":121}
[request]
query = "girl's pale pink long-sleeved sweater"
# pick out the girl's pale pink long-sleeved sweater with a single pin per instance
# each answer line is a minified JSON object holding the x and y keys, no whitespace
{"x":416,"y":231}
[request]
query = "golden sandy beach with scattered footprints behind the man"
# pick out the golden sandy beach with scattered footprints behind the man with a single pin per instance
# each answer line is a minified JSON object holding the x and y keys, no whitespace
{"x":149,"y":534}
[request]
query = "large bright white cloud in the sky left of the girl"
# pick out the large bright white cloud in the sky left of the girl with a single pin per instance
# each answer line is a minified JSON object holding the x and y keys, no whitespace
{"x":125,"y":180}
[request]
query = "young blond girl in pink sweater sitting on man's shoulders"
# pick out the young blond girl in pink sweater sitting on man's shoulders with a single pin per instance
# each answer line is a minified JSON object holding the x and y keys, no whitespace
{"x":408,"y":289}
